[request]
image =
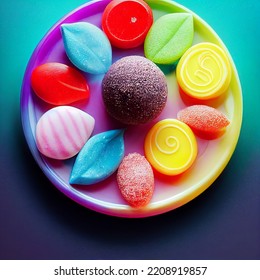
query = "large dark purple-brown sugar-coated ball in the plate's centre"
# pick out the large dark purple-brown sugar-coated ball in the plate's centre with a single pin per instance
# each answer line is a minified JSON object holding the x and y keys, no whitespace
{"x":134,"y":90}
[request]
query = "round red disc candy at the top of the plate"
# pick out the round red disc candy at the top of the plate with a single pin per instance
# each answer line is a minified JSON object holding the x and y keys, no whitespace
{"x":126,"y":22}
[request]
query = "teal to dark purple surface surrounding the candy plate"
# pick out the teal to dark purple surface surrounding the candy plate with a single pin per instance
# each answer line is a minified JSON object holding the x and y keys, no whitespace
{"x":38,"y":222}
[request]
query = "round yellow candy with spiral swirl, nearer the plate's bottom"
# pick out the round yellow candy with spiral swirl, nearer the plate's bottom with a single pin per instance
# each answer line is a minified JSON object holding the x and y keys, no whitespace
{"x":170,"y":147}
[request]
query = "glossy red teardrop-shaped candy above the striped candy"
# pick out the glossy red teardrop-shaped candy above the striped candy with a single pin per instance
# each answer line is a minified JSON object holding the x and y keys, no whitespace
{"x":59,"y":84}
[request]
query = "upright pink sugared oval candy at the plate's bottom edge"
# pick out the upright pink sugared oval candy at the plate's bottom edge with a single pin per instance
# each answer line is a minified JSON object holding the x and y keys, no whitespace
{"x":135,"y":179}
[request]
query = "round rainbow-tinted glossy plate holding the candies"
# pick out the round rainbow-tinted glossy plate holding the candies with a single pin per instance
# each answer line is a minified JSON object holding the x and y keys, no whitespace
{"x":104,"y":197}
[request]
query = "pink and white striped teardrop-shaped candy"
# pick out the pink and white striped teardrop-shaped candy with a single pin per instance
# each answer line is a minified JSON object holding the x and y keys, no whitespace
{"x":62,"y":131}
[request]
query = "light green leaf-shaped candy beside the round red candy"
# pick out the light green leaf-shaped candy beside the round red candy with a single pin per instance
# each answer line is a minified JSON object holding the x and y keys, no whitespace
{"x":169,"y":37}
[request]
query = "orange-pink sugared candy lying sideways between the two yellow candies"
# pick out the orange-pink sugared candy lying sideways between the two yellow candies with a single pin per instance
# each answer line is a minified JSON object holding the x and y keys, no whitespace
{"x":205,"y":121}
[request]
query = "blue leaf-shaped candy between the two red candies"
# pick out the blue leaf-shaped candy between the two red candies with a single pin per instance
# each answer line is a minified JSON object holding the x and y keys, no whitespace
{"x":87,"y":47}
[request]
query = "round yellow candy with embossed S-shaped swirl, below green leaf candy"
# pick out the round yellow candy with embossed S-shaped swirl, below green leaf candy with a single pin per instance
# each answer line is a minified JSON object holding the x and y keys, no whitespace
{"x":204,"y":71}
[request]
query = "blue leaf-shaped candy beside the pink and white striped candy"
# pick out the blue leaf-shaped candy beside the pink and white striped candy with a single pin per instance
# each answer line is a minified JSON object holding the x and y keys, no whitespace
{"x":99,"y":158}
